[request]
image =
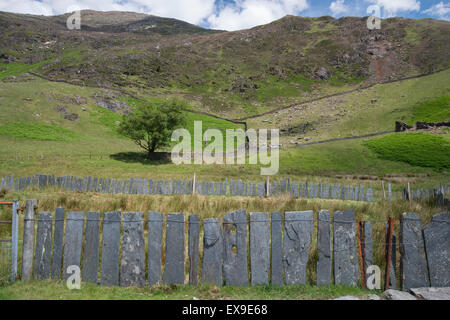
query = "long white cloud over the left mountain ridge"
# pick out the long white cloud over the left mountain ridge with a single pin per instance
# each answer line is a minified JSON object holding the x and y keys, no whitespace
{"x":193,"y":11}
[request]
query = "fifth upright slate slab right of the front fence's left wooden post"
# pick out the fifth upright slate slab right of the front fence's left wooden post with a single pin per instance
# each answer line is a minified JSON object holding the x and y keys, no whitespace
{"x":110,"y":249}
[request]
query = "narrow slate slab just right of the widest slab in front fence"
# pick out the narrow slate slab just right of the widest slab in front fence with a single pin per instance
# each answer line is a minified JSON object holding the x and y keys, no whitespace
{"x":324,"y":248}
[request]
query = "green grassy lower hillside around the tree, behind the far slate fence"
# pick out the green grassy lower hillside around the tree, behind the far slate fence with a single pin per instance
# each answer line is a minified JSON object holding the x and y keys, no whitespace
{"x":90,"y":146}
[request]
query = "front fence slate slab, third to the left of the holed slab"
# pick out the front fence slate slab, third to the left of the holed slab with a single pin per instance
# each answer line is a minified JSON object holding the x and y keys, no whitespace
{"x":174,"y":266}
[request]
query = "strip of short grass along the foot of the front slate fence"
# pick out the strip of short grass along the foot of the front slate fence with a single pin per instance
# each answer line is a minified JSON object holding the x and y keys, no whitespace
{"x":53,"y":290}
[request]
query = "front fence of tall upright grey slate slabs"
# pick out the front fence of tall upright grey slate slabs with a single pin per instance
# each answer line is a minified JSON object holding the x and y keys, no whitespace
{"x":279,"y":248}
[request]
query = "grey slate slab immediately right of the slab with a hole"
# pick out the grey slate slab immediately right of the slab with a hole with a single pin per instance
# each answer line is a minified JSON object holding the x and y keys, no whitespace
{"x":259,"y":248}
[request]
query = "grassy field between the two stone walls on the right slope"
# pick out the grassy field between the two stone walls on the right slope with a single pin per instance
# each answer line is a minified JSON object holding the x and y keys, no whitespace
{"x":365,"y":111}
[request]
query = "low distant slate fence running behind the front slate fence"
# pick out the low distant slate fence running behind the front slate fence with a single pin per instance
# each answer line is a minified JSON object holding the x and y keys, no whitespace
{"x":174,"y":187}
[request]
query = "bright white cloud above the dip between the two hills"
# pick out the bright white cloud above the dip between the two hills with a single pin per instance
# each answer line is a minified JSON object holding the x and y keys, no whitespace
{"x":244,"y":14}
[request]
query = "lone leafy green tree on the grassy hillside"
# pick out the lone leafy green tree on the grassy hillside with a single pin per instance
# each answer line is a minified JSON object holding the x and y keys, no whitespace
{"x":150,"y":126}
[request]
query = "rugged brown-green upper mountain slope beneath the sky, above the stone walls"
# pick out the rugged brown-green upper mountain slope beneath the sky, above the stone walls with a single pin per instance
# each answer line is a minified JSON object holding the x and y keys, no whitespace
{"x":228,"y":73}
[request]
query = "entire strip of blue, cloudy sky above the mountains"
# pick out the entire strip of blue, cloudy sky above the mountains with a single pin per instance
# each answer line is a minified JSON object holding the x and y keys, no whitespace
{"x":239,"y":14}
